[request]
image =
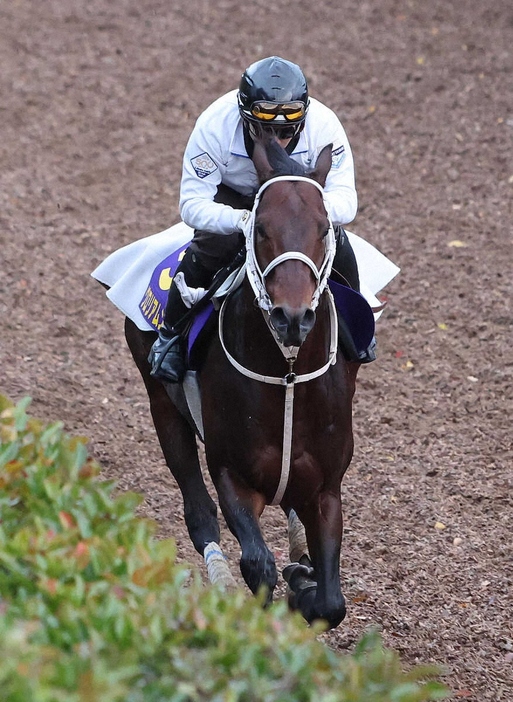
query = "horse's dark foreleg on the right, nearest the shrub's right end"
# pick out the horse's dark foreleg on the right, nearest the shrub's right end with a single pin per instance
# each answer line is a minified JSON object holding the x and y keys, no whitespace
{"x":323,"y":524}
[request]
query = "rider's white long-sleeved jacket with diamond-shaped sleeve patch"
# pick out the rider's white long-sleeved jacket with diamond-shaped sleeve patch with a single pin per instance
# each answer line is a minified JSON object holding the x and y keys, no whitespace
{"x":215,"y":153}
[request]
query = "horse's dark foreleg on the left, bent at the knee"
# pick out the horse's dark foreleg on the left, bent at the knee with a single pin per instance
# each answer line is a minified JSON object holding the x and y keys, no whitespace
{"x":242,"y":509}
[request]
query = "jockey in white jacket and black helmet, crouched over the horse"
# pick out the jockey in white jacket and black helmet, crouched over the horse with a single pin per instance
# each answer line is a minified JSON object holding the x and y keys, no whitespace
{"x":219,"y":183}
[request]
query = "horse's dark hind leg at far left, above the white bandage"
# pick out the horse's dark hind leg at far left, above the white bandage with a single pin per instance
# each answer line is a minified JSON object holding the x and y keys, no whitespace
{"x":178,"y":443}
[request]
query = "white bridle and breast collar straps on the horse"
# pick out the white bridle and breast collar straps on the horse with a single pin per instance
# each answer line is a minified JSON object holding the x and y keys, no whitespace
{"x":256,"y":279}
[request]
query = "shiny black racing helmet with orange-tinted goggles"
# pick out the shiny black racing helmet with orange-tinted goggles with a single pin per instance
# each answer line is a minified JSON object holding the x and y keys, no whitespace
{"x":273,"y":93}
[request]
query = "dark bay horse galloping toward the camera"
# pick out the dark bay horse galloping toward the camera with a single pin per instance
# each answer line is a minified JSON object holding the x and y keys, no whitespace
{"x":276,"y":397}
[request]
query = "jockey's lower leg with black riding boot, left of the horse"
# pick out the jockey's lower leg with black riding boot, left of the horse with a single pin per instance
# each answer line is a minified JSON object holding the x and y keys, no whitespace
{"x":168,"y":354}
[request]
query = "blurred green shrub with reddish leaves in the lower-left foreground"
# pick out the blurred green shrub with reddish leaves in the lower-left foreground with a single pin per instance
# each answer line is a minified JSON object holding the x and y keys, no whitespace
{"x":94,"y":608}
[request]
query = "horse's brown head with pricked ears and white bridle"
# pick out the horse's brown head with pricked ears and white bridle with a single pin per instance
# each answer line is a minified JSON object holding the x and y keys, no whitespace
{"x":292,"y":240}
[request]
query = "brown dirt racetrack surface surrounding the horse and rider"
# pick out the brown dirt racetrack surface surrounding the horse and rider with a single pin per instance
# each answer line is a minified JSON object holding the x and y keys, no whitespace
{"x":98,"y":99}
